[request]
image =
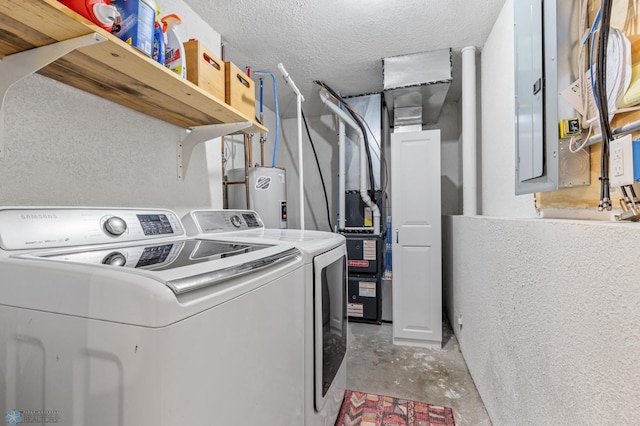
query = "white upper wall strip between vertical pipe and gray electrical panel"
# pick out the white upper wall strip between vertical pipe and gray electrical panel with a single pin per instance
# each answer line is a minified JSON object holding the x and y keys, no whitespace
{"x":498,"y":124}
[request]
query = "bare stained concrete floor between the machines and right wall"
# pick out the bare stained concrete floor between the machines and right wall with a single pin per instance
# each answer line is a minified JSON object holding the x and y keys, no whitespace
{"x":439,"y":377}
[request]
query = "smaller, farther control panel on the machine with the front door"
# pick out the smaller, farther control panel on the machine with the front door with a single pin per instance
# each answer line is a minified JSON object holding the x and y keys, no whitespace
{"x":214,"y":221}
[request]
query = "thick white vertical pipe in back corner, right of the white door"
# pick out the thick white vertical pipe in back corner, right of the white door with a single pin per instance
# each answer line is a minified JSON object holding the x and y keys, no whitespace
{"x":469,"y":146}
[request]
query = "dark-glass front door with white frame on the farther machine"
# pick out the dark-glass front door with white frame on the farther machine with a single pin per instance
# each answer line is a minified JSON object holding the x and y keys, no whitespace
{"x":330,"y":319}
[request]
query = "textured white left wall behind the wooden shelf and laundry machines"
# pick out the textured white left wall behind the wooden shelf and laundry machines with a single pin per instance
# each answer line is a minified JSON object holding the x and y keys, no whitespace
{"x":67,"y":147}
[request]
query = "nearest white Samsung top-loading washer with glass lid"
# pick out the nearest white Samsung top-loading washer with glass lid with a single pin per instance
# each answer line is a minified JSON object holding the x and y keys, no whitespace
{"x":115,"y":317}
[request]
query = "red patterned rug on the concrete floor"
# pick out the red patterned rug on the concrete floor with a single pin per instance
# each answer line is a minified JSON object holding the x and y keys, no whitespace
{"x":365,"y":409}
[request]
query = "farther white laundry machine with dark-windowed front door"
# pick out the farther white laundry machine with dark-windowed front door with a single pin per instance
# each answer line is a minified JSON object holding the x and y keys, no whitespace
{"x":325,"y":286}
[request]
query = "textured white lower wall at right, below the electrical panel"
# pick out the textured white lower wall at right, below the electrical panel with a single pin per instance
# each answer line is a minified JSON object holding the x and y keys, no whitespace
{"x":551,"y":325}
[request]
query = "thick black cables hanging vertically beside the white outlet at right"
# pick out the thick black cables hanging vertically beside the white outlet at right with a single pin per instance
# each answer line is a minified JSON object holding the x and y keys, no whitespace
{"x":603,"y":107}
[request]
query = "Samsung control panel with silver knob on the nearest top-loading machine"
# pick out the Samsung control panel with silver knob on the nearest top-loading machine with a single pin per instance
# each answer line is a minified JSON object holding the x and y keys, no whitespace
{"x":37,"y":228}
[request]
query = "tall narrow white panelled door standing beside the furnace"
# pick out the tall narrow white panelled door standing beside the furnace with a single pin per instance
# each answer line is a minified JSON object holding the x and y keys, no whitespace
{"x":417,"y":251}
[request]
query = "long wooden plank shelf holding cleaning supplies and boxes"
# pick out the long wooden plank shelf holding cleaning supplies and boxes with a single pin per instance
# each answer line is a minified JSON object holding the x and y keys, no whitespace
{"x":112,"y":70}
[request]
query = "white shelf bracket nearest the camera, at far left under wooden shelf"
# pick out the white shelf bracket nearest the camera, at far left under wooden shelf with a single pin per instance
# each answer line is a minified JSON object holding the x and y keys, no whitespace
{"x":15,"y":67}
